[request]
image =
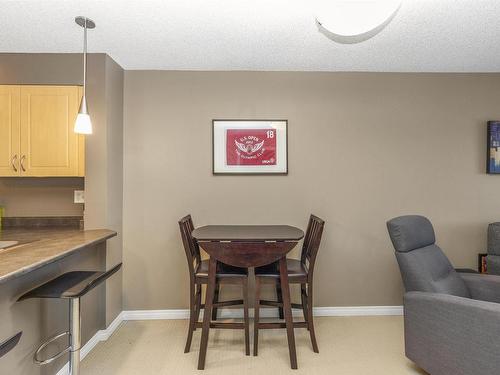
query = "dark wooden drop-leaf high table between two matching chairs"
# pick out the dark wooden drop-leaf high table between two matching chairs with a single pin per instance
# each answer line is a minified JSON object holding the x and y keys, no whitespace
{"x":247,"y":246}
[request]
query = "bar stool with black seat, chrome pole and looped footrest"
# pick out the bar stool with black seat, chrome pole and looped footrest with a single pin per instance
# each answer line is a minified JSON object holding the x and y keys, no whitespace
{"x":73,"y":286}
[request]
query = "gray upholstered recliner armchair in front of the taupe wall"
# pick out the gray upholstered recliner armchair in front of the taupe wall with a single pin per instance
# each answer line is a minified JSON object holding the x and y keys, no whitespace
{"x":452,"y":320}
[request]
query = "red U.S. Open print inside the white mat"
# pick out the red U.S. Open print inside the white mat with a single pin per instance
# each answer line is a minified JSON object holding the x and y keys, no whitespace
{"x":251,"y":146}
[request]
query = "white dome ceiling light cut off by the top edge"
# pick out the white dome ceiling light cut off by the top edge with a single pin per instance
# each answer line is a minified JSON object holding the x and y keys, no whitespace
{"x":356,"y":20}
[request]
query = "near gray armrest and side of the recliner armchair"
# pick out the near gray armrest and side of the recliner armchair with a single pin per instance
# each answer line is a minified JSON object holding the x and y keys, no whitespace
{"x":446,"y":334}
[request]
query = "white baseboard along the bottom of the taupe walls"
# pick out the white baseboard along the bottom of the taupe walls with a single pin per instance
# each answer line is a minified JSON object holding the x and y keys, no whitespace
{"x":104,"y":334}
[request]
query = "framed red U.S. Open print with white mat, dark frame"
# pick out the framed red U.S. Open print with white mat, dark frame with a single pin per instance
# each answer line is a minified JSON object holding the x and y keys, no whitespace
{"x":250,"y":146}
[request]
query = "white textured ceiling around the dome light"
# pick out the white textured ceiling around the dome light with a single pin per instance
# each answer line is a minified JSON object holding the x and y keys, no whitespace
{"x":426,"y":35}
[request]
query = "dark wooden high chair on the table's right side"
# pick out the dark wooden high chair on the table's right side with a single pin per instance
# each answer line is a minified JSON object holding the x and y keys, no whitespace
{"x":299,"y":272}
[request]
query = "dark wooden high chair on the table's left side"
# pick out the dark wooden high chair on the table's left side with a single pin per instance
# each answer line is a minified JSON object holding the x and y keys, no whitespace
{"x":199,"y":275}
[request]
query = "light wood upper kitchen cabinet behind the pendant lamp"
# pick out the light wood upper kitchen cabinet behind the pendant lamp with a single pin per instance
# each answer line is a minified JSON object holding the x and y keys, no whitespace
{"x":42,"y":142}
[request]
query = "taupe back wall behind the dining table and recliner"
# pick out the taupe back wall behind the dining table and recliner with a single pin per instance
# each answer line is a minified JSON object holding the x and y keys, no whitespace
{"x":363,"y":148}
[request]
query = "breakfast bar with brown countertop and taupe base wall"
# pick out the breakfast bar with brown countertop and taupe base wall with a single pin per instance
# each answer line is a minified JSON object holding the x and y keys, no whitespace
{"x":30,"y":257}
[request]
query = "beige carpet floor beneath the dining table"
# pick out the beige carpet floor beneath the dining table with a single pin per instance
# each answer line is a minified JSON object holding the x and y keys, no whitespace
{"x":348,"y":346}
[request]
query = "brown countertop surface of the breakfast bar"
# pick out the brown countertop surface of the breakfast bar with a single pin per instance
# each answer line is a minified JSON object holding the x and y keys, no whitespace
{"x":38,"y":247}
